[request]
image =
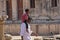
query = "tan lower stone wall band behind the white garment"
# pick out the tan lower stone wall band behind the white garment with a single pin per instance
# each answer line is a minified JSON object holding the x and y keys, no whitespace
{"x":41,"y":29}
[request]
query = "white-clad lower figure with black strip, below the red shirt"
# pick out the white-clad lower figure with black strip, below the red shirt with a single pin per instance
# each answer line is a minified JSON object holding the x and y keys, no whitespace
{"x":25,"y":30}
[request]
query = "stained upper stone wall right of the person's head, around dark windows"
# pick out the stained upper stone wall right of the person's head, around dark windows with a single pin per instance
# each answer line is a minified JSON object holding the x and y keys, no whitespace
{"x":43,"y":8}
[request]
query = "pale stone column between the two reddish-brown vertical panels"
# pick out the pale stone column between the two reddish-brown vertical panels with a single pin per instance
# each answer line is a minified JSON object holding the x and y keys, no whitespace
{"x":14,"y":10}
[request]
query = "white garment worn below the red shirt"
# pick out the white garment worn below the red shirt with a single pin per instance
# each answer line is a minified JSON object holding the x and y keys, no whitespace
{"x":26,"y":35}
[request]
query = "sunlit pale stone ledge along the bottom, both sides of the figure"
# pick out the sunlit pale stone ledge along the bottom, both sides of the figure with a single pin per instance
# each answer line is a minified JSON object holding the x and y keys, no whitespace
{"x":10,"y":37}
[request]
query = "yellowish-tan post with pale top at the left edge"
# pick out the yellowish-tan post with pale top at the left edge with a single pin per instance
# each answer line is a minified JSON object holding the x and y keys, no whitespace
{"x":2,"y":18}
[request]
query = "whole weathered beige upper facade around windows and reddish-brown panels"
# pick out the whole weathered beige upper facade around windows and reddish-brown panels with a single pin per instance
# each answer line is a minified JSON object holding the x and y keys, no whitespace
{"x":42,"y":8}
